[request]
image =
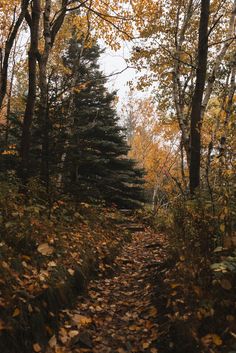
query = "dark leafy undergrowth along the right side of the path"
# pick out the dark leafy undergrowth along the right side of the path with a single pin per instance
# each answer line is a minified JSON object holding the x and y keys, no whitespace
{"x":197,"y":282}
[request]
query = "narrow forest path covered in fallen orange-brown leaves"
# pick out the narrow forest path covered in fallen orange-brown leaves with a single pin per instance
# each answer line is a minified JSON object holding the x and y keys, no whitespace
{"x":118,"y":314}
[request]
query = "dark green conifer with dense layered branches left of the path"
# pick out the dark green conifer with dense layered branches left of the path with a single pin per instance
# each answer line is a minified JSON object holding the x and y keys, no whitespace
{"x":96,"y":165}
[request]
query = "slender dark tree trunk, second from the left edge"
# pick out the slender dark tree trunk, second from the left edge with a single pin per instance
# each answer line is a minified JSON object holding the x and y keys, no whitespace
{"x":33,"y":21}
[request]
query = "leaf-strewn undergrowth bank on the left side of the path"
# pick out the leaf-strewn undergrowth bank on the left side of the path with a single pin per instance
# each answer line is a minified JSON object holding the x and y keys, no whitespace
{"x":45,"y":261}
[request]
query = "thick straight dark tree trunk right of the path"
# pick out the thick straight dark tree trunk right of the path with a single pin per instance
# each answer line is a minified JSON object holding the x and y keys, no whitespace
{"x":195,"y":131}
